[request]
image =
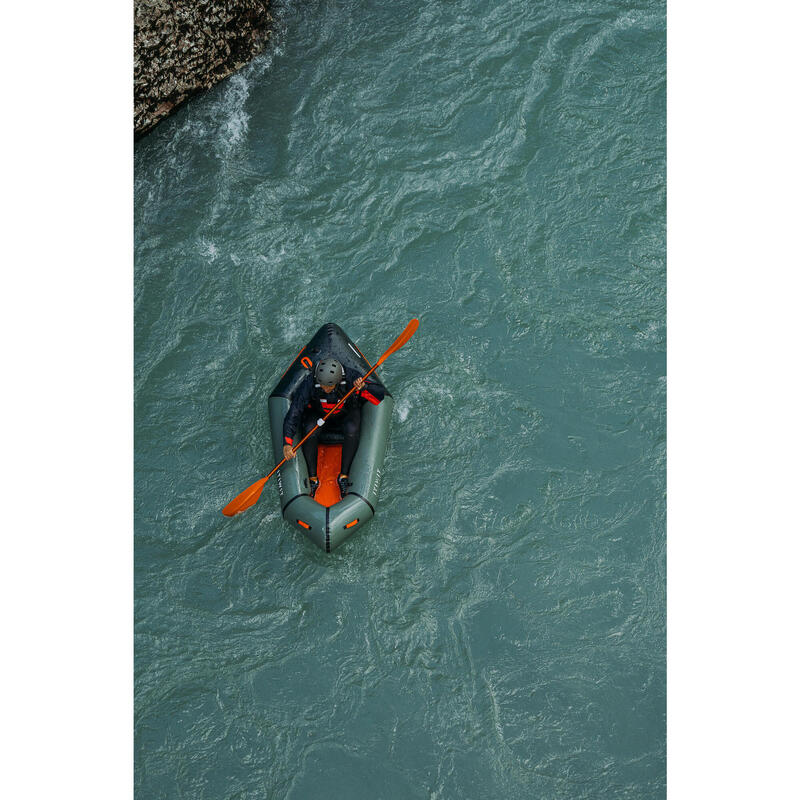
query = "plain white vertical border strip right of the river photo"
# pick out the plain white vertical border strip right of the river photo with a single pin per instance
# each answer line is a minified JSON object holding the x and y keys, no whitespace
{"x":732,"y":402}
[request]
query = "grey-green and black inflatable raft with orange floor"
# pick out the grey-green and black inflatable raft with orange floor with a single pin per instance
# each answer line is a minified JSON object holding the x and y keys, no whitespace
{"x":328,"y":518}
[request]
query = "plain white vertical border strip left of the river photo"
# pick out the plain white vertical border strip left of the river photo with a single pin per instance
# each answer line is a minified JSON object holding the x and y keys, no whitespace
{"x":67,"y":669}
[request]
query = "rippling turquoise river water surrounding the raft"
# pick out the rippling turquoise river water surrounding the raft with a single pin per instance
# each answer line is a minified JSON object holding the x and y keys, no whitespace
{"x":498,"y":630}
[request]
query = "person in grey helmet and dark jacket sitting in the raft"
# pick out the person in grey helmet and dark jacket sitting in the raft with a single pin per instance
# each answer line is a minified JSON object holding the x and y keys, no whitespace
{"x":313,"y":399}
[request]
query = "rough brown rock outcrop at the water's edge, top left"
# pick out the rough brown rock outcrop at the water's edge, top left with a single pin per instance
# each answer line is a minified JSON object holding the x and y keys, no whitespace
{"x":181,"y":47}
